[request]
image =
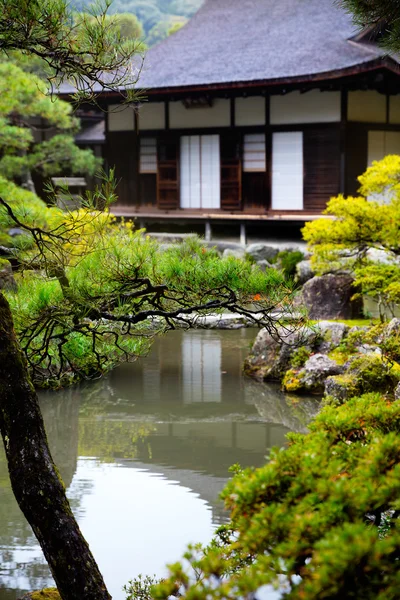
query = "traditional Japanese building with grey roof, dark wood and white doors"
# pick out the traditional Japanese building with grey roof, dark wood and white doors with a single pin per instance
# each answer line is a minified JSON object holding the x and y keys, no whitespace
{"x":255,"y":110}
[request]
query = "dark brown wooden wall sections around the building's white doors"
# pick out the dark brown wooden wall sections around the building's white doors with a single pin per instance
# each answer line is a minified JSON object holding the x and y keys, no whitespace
{"x":321,"y":156}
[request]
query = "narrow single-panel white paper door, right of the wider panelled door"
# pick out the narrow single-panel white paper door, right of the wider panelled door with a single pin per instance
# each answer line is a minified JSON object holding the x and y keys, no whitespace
{"x":287,"y":170}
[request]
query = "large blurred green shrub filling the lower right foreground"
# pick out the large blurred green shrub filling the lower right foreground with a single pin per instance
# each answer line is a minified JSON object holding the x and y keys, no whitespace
{"x":319,"y":520}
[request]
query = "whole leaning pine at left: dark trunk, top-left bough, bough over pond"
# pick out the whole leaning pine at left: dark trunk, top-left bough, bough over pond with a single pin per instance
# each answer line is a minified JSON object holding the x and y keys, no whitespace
{"x":86,"y":55}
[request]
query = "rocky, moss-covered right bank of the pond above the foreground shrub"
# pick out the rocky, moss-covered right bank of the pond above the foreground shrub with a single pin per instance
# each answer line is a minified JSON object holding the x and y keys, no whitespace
{"x":329,"y":358}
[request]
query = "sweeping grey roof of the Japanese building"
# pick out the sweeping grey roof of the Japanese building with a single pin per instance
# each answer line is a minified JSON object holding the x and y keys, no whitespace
{"x":234,"y":41}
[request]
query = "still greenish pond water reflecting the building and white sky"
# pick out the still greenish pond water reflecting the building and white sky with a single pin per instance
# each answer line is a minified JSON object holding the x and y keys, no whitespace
{"x":145,"y":452}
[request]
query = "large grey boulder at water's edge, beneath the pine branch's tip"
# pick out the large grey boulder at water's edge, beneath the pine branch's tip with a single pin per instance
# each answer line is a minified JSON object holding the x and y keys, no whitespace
{"x":272,"y":351}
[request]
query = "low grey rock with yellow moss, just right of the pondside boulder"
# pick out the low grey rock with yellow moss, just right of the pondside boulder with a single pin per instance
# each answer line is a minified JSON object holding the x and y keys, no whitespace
{"x":311,"y":378}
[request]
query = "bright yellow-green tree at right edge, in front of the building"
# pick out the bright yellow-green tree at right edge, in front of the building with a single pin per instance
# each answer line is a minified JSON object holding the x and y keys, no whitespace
{"x":358,"y":225}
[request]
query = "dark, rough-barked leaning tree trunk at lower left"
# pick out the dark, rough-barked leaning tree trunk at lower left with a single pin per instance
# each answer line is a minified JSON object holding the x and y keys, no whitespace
{"x":35,"y":480}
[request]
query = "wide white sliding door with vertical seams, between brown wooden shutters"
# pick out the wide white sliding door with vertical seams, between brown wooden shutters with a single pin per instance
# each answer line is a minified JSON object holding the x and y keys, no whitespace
{"x":200,"y":171}
